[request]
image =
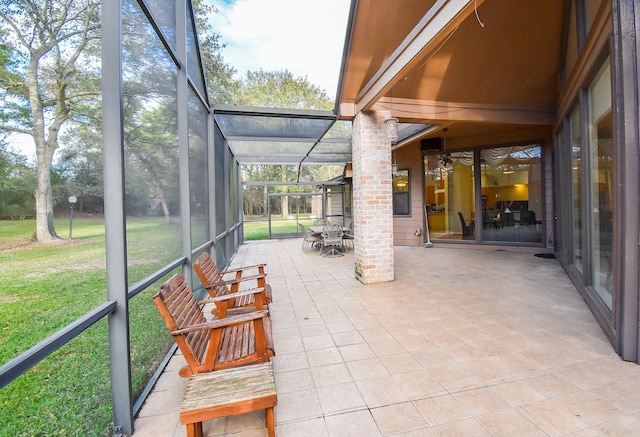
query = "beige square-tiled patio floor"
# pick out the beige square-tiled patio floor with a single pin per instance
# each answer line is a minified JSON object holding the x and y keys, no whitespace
{"x":464,"y":342}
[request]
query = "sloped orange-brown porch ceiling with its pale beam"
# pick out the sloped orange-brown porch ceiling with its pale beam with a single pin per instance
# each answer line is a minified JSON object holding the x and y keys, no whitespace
{"x":487,"y":71}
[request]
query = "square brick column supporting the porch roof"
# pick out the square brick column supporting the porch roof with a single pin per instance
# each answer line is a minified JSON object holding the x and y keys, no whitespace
{"x":372,"y":199}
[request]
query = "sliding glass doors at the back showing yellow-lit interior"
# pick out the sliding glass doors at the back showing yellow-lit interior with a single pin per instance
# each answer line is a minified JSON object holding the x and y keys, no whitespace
{"x":511,"y":183}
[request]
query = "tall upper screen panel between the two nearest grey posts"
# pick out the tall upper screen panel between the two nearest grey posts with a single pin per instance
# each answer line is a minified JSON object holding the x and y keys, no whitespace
{"x":151,"y":147}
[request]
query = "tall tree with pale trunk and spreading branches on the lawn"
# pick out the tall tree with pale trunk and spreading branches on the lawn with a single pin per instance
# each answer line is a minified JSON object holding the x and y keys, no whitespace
{"x":47,"y":69}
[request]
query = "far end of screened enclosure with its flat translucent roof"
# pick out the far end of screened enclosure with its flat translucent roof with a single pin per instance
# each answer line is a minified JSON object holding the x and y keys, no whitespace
{"x":281,"y":137}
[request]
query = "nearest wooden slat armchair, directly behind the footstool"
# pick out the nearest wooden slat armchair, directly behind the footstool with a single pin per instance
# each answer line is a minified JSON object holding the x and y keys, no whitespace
{"x":220,"y":343}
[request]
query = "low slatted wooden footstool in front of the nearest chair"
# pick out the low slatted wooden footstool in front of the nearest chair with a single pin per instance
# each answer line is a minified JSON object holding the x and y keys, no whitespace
{"x":228,"y":392}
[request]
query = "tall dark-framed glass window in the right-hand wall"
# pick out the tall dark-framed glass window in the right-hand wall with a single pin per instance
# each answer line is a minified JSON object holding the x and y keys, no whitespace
{"x":591,"y":213}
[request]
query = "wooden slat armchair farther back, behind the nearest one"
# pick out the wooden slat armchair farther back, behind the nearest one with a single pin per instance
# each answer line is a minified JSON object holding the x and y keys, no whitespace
{"x":214,"y":282}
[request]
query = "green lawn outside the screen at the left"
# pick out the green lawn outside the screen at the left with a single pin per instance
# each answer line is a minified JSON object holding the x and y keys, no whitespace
{"x":46,"y":287}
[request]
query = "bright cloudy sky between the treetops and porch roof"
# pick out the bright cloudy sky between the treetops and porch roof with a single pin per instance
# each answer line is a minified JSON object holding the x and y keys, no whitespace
{"x":305,"y":37}
